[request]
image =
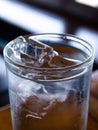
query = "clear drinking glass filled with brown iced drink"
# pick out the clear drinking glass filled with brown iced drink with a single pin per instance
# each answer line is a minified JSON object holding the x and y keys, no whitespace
{"x":49,"y":81}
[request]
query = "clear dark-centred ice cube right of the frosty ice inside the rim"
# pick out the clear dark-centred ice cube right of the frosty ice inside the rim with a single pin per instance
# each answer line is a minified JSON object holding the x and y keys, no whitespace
{"x":38,"y":54}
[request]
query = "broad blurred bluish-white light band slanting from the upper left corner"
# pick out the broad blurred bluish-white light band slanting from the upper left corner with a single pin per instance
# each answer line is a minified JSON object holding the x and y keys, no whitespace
{"x":31,"y":19}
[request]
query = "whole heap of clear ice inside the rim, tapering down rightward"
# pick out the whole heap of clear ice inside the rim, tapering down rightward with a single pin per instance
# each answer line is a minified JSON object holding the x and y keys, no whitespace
{"x":29,"y":51}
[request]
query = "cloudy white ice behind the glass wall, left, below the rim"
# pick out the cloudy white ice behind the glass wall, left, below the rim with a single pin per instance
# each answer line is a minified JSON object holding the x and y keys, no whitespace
{"x":27,"y":88}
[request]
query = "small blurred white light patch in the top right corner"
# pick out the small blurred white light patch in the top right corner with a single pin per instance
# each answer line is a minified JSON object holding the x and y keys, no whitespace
{"x":93,"y":3}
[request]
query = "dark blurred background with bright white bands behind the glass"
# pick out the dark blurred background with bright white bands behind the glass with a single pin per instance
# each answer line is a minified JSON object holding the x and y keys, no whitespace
{"x":21,"y":17}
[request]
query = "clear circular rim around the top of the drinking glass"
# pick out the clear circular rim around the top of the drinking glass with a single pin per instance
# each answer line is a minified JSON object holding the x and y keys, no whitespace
{"x":66,"y":36}
